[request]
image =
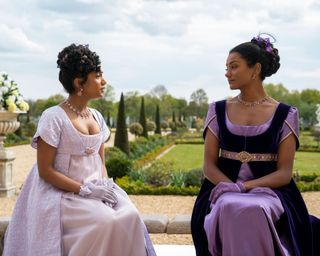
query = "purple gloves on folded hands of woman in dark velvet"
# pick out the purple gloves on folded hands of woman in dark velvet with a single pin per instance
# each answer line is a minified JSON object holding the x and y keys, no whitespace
{"x":223,"y":187}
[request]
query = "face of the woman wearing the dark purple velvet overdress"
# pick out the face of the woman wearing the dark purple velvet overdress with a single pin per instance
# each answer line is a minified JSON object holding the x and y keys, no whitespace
{"x":238,"y":73}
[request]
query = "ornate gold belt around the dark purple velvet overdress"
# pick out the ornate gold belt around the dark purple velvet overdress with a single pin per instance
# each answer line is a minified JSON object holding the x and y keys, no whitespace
{"x":245,"y":156}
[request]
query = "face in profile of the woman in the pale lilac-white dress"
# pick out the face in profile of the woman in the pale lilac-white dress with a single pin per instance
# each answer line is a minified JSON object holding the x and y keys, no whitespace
{"x":94,"y":87}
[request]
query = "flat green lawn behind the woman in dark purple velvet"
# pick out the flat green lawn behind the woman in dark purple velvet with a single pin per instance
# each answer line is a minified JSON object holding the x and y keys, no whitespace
{"x":187,"y":156}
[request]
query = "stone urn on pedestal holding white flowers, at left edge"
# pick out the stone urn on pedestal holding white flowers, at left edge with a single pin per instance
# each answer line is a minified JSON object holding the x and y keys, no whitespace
{"x":8,"y":123}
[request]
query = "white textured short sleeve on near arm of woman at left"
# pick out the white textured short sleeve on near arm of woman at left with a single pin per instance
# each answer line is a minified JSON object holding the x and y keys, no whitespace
{"x":49,"y":128}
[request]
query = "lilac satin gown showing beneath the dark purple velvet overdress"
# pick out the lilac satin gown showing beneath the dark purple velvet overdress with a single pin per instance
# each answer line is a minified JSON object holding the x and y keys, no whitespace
{"x":243,"y":223}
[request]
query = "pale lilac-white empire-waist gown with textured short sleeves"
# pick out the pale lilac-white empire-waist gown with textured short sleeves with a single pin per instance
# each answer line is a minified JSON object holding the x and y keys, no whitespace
{"x":49,"y":221}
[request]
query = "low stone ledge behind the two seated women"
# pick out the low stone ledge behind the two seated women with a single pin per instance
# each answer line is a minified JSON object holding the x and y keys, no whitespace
{"x":180,"y":224}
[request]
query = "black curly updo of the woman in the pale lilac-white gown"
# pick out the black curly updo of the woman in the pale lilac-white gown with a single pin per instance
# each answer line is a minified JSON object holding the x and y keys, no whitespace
{"x":76,"y":61}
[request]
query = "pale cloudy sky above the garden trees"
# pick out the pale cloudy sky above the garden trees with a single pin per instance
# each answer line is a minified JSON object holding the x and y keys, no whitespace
{"x":181,"y":44}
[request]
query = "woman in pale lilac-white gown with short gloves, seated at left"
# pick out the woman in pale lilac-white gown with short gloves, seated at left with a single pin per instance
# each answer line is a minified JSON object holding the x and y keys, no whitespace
{"x":68,"y":205}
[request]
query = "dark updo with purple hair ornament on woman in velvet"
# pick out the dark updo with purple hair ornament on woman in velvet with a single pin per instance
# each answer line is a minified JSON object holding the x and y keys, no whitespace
{"x":260,"y":50}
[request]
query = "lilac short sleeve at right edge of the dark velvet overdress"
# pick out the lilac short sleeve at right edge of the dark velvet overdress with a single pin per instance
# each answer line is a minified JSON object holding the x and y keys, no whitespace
{"x":290,"y":125}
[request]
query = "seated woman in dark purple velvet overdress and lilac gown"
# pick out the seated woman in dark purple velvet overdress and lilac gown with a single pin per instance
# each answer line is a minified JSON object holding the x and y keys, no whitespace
{"x":248,"y":203}
